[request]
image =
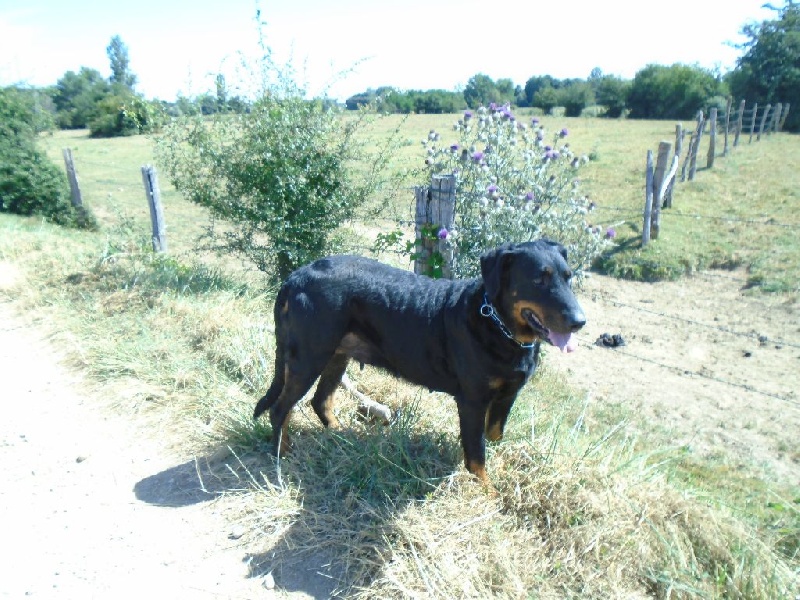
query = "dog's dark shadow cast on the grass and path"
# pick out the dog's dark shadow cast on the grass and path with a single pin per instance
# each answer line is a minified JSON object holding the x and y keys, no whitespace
{"x":347,"y":488}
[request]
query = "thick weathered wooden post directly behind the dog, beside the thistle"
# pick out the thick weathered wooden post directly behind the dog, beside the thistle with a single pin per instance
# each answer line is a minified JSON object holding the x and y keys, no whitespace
{"x":435,"y":209}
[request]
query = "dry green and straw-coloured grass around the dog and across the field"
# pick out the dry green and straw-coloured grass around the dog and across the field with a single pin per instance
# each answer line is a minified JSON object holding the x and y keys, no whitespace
{"x":581,"y":511}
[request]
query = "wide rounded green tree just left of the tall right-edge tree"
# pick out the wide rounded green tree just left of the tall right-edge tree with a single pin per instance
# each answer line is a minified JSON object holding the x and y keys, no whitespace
{"x":674,"y":92}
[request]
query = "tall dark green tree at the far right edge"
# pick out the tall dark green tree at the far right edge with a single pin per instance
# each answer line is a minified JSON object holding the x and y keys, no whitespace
{"x":769,"y":69}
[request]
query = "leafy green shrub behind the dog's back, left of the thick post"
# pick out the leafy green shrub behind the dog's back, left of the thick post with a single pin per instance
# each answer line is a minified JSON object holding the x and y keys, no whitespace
{"x":283,"y":175}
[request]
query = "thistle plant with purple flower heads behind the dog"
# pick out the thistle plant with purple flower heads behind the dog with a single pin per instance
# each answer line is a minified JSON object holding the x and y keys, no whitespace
{"x":512,"y":185}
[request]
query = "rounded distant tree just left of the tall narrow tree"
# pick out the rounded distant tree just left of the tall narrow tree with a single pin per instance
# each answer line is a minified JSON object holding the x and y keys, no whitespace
{"x":76,"y":97}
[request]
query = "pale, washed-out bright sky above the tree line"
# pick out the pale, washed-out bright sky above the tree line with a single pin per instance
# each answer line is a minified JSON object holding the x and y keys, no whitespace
{"x":177,"y":46}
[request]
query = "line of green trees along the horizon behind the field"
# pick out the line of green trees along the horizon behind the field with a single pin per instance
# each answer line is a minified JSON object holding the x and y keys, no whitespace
{"x":767,"y":72}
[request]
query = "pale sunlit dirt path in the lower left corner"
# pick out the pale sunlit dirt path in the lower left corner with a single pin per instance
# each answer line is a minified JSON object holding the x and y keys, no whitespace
{"x":91,"y":506}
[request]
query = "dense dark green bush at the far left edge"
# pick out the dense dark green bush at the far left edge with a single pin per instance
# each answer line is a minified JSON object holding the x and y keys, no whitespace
{"x":30,"y":184}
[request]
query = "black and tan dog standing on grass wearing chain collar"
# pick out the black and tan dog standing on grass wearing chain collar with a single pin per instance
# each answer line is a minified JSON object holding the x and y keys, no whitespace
{"x":476,"y":339}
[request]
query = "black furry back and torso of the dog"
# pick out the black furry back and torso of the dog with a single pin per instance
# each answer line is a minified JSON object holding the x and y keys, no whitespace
{"x":374,"y":313}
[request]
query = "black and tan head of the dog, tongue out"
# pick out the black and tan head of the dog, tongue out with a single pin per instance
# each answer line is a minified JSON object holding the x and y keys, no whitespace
{"x":529,"y":284}
